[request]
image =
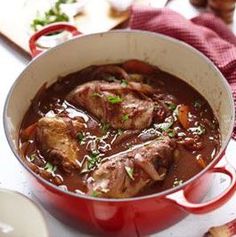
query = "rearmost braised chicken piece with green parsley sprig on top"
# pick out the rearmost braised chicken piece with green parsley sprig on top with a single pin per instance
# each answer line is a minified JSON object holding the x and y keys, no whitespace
{"x":125,"y":106}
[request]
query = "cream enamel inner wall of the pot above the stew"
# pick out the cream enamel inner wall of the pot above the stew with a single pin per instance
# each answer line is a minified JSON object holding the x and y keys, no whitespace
{"x":168,"y":54}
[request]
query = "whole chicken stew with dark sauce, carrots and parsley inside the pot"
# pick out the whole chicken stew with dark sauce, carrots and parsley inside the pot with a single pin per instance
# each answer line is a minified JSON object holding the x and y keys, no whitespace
{"x":118,"y":131}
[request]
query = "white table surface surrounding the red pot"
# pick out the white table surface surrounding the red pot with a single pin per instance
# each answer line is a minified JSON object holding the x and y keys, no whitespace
{"x":12,"y":177}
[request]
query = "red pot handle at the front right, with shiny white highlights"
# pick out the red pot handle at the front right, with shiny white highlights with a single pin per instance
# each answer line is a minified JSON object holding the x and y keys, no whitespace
{"x":200,"y":208}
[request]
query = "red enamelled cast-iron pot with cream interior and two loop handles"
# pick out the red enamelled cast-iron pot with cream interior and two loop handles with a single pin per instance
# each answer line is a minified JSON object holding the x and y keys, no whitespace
{"x":137,"y":216}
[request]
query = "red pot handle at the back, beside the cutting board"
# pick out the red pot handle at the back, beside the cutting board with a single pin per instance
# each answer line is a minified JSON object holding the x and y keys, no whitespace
{"x":52,"y":28}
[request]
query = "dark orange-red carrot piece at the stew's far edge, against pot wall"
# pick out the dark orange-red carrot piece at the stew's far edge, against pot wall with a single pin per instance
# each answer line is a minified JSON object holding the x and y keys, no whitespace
{"x":136,"y":66}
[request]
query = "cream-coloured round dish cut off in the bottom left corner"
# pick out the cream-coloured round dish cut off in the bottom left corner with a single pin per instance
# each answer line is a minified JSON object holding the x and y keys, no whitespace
{"x":20,"y":217}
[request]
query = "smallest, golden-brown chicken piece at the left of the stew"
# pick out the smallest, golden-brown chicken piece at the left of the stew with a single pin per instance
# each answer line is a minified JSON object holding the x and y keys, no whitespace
{"x":56,"y":137}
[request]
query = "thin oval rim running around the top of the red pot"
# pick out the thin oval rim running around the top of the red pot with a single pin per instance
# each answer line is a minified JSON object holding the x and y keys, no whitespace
{"x":113,"y":200}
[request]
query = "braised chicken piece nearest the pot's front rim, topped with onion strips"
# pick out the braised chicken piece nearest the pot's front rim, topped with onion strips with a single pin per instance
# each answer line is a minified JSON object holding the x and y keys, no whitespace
{"x":125,"y":174}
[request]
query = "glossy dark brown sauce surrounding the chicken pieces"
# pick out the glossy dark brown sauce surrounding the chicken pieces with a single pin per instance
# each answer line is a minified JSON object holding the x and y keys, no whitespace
{"x":52,"y":101}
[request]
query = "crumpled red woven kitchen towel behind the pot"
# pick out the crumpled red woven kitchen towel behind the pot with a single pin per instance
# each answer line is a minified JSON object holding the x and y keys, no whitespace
{"x":206,"y":33}
